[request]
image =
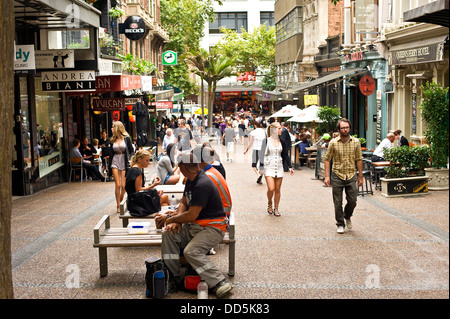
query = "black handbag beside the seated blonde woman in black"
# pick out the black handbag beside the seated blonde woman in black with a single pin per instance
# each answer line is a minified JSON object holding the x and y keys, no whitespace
{"x":144,"y":203}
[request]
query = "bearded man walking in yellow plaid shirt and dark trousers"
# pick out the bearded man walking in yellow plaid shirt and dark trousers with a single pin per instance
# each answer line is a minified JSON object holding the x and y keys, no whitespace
{"x":344,"y":150}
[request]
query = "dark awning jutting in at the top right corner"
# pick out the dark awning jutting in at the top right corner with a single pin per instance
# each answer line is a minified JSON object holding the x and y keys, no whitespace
{"x":435,"y":13}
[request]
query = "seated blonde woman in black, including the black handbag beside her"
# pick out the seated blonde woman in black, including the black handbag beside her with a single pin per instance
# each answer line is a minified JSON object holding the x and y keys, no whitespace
{"x":143,"y":200}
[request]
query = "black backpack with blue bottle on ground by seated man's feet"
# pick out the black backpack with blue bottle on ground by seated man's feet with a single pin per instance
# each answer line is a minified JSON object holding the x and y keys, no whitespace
{"x":156,"y":278}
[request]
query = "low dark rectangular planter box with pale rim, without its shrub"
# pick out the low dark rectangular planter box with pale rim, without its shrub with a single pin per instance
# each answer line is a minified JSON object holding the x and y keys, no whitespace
{"x":407,"y":186}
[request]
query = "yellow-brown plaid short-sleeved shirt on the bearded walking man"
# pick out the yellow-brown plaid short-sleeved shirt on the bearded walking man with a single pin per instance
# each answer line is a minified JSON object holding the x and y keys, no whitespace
{"x":344,"y":156}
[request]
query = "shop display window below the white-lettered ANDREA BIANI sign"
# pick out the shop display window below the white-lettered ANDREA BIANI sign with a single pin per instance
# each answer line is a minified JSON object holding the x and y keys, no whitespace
{"x":49,"y":130}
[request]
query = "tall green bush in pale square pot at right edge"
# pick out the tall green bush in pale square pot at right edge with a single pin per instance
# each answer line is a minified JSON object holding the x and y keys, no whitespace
{"x":435,"y":112}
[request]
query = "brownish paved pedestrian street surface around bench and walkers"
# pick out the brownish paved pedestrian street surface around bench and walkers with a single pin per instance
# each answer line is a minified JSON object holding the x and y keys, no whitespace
{"x":398,"y":247}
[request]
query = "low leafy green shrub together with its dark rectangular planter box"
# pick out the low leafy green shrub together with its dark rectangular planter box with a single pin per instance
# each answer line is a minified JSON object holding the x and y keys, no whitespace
{"x":405,"y":175}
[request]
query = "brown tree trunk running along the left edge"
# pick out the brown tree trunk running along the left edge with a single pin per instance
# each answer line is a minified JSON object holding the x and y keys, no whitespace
{"x":6,"y":129}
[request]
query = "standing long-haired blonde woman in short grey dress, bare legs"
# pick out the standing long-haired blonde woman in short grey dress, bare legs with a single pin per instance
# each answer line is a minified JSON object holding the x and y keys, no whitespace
{"x":121,"y":152}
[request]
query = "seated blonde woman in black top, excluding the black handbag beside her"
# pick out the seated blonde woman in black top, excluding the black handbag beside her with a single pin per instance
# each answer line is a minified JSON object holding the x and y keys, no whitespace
{"x":135,"y":179}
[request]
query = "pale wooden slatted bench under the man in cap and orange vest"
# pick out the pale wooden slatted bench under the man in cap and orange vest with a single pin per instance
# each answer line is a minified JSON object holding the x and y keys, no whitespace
{"x":105,"y":236}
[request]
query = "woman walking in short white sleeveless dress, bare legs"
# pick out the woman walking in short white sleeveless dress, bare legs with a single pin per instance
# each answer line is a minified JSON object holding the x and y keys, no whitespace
{"x":275,"y":153}
